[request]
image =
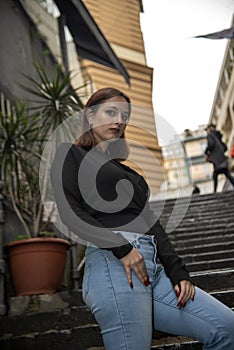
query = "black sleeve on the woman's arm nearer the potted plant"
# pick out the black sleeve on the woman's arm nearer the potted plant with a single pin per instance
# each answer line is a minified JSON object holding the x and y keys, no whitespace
{"x":64,"y":179}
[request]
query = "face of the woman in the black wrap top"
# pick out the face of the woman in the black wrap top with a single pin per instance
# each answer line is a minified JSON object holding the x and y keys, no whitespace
{"x":110,"y":119}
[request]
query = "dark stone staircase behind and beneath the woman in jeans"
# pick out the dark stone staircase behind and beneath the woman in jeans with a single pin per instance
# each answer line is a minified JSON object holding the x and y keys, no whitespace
{"x":205,"y":240}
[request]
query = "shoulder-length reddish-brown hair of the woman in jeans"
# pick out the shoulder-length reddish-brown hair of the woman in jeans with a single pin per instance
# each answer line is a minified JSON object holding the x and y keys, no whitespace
{"x":117,"y":150}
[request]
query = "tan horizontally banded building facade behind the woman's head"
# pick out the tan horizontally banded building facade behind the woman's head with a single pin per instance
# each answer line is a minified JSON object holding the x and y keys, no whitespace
{"x":119,"y":21}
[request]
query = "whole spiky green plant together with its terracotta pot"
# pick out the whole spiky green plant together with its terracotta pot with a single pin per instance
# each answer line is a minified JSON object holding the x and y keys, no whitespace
{"x":34,"y":262}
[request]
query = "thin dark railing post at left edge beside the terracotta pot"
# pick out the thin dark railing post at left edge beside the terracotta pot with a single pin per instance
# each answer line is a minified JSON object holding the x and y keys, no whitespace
{"x":2,"y":262}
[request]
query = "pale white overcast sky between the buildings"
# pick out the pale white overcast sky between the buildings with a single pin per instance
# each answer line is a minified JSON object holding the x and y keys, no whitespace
{"x":186,"y":69}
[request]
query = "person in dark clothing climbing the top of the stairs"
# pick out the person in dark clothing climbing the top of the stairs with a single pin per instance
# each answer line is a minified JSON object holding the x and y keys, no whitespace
{"x":215,"y":152}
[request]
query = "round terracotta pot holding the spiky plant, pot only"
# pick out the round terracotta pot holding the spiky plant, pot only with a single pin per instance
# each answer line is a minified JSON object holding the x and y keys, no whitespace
{"x":37,"y":265}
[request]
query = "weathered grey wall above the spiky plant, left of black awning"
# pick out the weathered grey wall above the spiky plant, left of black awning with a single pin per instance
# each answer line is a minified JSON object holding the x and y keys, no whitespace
{"x":21,"y":47}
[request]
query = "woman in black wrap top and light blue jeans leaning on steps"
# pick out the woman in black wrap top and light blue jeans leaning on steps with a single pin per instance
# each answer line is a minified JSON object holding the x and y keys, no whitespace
{"x":105,"y":203}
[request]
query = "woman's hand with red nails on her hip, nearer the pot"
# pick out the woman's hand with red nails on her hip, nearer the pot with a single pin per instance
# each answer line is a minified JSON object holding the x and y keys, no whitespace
{"x":134,"y":261}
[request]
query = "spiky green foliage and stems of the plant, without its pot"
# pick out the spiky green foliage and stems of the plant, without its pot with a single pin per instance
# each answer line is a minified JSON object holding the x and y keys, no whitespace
{"x":24,"y":130}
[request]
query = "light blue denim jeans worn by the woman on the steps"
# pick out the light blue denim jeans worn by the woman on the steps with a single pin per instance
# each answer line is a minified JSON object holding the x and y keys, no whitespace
{"x":126,"y":316}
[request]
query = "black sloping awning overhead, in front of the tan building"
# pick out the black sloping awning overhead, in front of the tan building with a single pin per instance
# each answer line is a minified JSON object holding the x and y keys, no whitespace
{"x":90,"y":41}
